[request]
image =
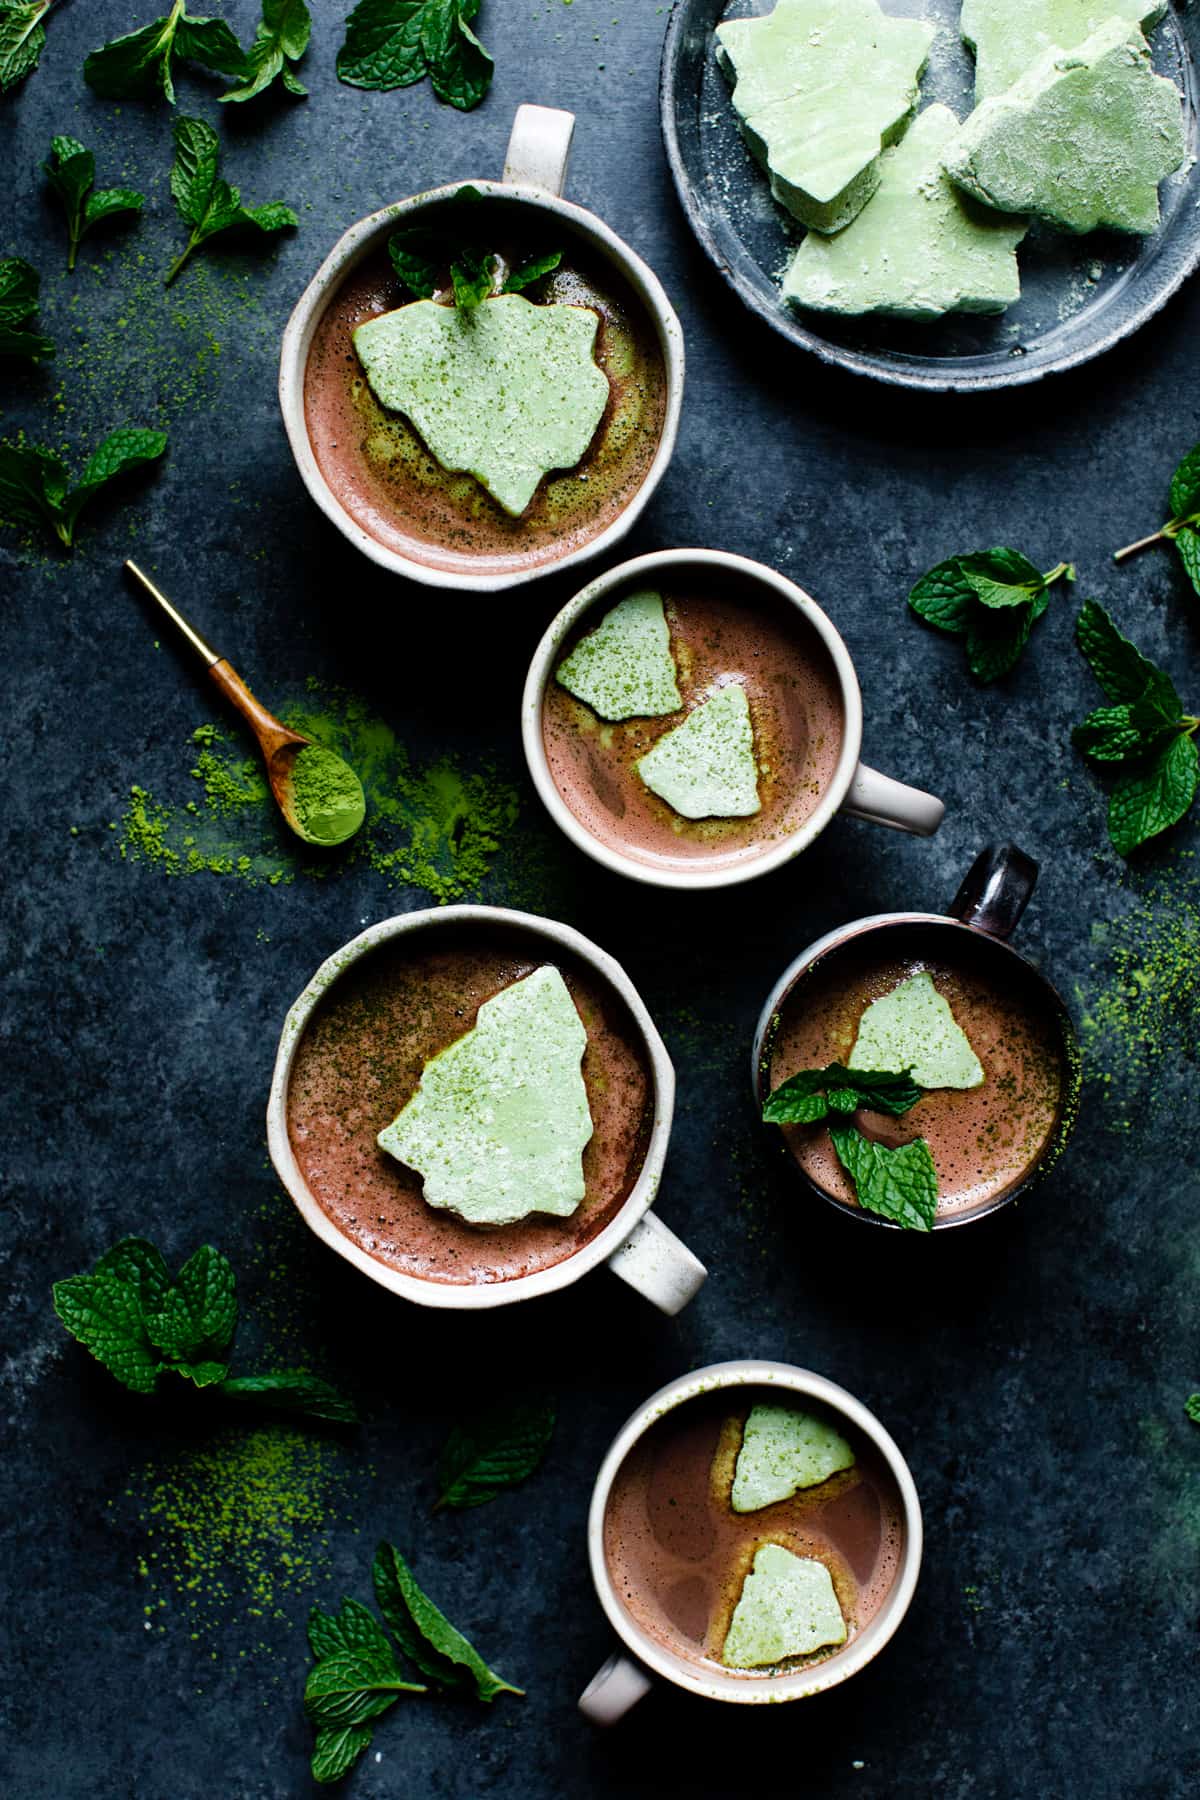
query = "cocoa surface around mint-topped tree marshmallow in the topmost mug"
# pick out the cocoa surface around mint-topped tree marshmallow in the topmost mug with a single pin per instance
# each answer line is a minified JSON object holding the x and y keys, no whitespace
{"x":388,"y":481}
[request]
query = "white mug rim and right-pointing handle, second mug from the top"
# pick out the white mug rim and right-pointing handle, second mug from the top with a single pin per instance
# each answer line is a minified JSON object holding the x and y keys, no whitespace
{"x":855,"y":789}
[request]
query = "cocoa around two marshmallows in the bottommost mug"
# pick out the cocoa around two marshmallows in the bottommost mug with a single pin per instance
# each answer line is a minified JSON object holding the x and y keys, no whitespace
{"x":679,"y":1554}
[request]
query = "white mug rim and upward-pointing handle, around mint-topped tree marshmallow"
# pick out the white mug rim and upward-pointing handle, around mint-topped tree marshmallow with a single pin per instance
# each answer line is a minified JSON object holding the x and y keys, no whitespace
{"x":535,"y":172}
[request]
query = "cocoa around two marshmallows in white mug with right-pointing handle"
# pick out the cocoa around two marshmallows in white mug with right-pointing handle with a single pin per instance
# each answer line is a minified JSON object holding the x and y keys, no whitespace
{"x":722,"y":627}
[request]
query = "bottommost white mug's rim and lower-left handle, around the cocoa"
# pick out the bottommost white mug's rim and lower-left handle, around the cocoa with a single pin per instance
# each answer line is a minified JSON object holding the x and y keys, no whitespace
{"x":623,"y":1680}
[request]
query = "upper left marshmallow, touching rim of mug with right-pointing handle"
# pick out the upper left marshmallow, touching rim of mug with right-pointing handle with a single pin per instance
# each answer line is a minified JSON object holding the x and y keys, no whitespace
{"x":625,"y":667}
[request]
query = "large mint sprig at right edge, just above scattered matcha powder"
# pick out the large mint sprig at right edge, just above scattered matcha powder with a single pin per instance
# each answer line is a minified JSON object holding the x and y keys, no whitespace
{"x":1143,"y":732}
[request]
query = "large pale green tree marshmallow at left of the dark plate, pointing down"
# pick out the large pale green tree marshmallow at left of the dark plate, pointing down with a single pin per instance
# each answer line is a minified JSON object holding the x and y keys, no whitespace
{"x":821,"y":87}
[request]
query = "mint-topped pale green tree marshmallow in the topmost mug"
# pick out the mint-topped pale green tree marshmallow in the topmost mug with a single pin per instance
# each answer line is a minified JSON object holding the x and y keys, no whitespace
{"x":505,"y":390}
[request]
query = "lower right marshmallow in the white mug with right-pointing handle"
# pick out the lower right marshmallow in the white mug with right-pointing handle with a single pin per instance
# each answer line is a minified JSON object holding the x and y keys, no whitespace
{"x":706,"y":768}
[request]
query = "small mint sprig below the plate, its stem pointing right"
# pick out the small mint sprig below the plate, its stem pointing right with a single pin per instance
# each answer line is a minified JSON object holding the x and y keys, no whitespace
{"x":992,"y":598}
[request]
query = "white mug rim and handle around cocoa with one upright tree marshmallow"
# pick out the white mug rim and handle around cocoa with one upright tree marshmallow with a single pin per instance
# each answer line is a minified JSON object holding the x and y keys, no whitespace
{"x":636,"y":1245}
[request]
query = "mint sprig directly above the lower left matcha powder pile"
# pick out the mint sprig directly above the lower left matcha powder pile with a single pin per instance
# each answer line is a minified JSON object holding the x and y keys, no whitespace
{"x":141,"y":1322}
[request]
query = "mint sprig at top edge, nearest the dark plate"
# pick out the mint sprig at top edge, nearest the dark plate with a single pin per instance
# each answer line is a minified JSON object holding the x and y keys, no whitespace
{"x":391,"y":44}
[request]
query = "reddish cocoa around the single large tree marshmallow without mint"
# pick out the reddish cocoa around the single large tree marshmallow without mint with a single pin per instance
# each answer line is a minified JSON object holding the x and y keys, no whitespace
{"x":361,"y":1061}
